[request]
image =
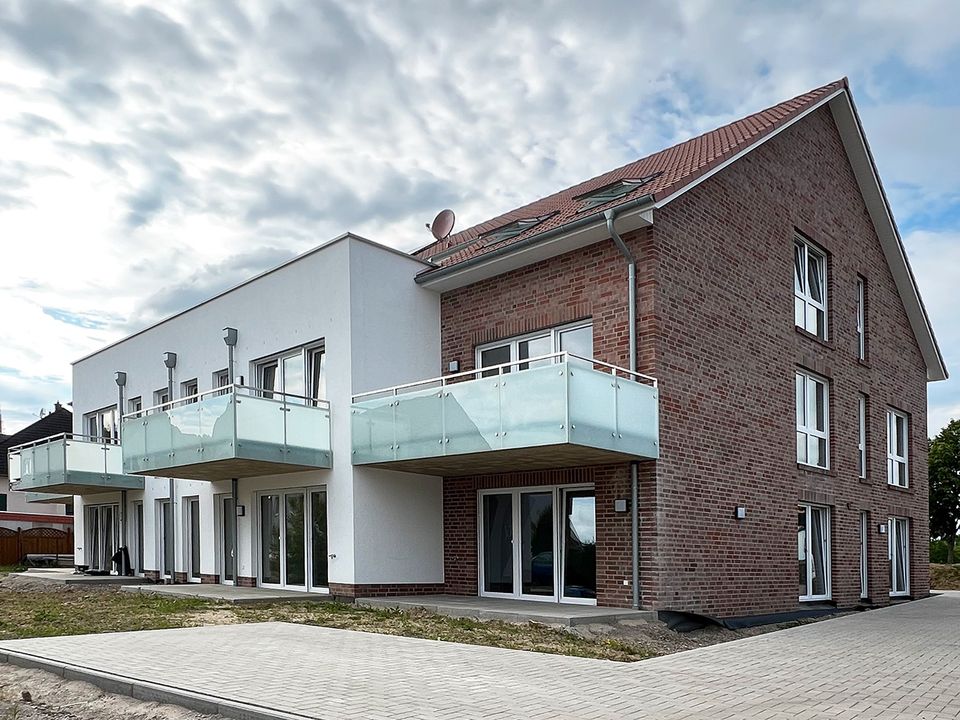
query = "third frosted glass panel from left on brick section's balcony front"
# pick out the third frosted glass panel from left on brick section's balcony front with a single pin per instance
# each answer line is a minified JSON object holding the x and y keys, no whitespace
{"x":471,"y":412}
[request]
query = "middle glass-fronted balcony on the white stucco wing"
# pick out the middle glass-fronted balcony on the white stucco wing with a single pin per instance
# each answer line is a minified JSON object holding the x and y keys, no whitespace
{"x":231,"y":432}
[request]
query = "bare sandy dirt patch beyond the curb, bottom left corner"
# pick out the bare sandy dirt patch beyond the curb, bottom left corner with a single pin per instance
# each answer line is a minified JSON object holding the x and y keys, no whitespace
{"x":53,"y":698}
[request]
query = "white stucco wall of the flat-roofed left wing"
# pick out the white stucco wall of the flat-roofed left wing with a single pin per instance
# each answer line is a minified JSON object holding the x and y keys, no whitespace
{"x":379,"y":329}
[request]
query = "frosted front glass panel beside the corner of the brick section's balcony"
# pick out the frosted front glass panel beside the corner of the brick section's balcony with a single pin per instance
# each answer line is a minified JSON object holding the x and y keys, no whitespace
{"x":533,"y":407}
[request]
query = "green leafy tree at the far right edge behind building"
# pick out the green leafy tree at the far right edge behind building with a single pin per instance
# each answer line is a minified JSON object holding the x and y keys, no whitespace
{"x":945,"y":486}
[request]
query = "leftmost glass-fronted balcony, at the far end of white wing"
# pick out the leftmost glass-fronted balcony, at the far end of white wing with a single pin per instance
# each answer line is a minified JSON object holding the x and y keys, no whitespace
{"x":69,"y":465}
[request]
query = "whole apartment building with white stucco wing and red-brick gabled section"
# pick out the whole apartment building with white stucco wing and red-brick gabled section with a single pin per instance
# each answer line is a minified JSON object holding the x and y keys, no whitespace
{"x":774,"y":439}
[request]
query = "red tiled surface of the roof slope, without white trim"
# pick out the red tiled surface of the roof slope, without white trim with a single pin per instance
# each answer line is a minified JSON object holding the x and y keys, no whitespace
{"x":674,"y":168}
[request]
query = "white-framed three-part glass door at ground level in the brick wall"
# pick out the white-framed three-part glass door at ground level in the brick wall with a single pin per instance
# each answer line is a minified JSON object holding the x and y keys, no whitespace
{"x":539,"y":544}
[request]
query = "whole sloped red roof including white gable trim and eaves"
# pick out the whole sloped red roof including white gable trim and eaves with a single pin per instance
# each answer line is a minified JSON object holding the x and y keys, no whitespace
{"x":667,"y":174}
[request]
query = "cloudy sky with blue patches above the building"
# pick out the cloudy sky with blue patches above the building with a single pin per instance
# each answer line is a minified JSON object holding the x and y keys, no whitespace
{"x":152,"y":154}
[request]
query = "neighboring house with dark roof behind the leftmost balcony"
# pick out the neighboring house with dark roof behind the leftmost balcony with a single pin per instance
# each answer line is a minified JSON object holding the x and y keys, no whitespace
{"x":18,"y":510}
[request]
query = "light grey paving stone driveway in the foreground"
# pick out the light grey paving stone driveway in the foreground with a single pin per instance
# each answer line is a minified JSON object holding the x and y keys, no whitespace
{"x":899,"y":662}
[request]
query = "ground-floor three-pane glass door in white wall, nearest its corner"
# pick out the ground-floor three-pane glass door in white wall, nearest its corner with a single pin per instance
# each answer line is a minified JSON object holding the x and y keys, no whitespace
{"x":293,"y":539}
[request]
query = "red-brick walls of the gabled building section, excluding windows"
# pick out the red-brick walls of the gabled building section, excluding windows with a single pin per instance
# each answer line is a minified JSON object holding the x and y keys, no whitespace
{"x":715,"y":326}
